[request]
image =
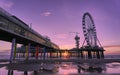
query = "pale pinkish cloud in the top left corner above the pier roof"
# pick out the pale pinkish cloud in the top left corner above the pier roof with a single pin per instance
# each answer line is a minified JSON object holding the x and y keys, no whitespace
{"x":6,"y":4}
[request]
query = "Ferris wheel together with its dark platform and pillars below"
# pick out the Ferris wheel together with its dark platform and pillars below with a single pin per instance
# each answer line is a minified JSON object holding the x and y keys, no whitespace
{"x":91,"y":47}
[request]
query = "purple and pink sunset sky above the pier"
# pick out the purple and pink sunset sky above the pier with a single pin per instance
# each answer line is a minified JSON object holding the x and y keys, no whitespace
{"x":56,"y":18}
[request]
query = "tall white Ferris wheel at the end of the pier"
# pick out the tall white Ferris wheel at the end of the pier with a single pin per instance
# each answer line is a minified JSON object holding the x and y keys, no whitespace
{"x":89,"y":30}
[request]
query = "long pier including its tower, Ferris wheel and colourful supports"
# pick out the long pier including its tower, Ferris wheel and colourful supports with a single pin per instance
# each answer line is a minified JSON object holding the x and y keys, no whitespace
{"x":34,"y":44}
